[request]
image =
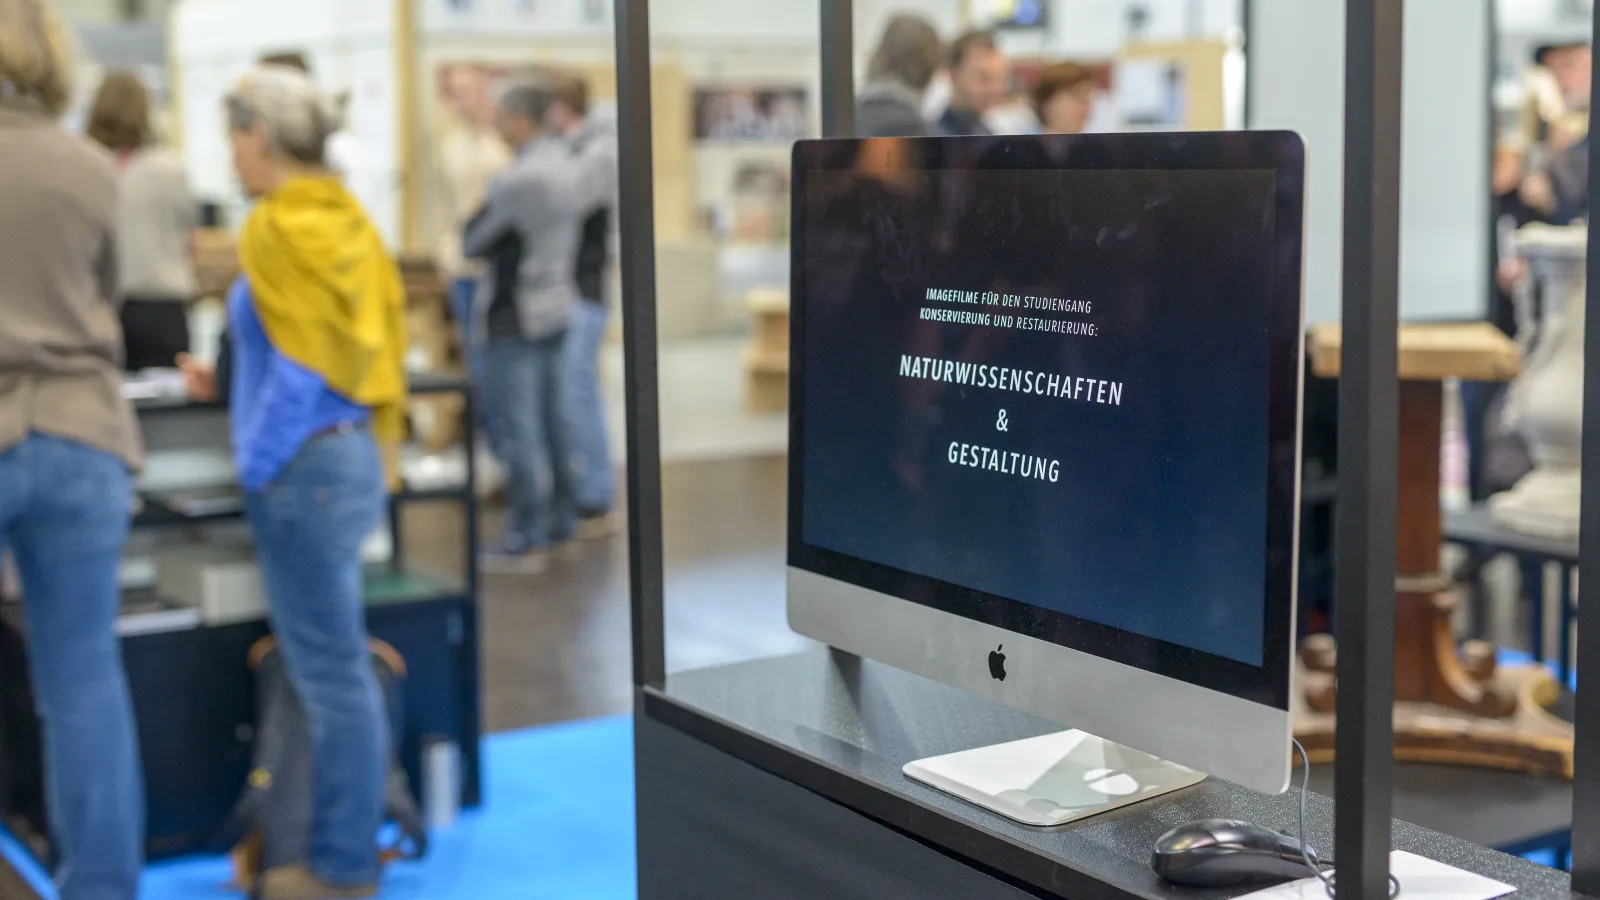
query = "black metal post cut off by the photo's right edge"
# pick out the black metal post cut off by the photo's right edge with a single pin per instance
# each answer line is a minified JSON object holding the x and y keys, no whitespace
{"x":1586,"y":750}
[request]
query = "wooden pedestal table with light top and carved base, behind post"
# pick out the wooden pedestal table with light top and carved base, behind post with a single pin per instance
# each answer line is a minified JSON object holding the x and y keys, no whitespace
{"x":1450,"y":705}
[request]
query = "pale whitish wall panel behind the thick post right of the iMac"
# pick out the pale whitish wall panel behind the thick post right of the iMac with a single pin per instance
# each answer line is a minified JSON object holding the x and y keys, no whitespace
{"x":1297,"y":81}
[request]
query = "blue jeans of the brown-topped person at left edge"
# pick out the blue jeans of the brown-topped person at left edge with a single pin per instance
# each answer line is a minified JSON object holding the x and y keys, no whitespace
{"x":65,"y":516}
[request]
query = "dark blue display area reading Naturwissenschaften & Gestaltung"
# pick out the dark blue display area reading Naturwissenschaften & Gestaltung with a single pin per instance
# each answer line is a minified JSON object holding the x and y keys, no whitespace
{"x":1047,"y":385}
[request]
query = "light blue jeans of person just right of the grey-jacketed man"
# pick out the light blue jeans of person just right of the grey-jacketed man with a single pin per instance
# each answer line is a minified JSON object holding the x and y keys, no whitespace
{"x":594,"y":483}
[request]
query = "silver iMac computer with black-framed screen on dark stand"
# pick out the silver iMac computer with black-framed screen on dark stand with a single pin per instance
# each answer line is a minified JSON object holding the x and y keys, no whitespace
{"x":1046,"y":446}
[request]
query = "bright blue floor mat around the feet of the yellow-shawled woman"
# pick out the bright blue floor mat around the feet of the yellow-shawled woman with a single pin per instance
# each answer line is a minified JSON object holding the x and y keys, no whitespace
{"x":558,"y":824}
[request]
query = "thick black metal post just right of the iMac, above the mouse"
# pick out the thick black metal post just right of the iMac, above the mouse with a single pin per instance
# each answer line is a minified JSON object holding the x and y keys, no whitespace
{"x":1369,"y":425}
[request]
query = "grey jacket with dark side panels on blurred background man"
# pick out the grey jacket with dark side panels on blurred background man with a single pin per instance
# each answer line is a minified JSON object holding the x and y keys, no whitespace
{"x":535,"y":206}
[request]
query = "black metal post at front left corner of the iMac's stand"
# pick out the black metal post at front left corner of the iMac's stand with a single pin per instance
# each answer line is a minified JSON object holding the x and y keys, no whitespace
{"x":638,"y":227}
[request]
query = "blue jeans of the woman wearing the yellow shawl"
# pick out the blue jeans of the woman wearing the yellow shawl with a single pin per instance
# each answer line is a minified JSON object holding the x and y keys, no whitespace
{"x":310,"y":526}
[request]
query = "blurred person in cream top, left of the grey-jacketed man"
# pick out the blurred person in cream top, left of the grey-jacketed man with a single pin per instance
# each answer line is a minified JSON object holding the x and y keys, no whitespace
{"x":470,"y":156}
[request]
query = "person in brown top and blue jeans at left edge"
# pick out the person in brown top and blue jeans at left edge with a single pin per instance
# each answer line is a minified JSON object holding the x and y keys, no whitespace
{"x":68,"y":451}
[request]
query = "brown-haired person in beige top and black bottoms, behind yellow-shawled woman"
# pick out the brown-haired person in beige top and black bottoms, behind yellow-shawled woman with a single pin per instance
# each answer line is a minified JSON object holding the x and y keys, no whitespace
{"x":158,"y":215}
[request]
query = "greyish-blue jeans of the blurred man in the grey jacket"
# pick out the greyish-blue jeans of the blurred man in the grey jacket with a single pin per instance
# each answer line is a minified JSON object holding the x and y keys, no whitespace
{"x":524,"y":392}
